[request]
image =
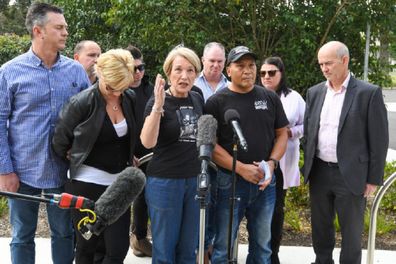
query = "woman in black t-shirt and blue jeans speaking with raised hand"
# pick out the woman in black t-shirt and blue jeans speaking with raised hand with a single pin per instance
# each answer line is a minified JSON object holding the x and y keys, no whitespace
{"x":170,"y":128}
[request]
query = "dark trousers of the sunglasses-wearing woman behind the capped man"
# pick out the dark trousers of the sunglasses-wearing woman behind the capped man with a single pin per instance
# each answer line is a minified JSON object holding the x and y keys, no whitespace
{"x":278,"y":217}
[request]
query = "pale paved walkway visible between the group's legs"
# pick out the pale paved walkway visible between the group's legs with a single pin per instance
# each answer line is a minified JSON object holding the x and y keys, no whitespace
{"x":288,"y":255}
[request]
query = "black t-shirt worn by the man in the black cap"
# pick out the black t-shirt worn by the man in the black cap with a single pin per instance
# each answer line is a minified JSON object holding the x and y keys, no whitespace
{"x":261,"y":112}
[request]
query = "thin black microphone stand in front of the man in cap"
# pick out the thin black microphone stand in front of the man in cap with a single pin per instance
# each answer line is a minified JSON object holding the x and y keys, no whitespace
{"x":230,"y":254}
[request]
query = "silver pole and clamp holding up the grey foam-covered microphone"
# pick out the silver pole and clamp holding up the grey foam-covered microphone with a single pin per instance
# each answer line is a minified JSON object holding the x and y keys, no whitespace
{"x":202,"y":190}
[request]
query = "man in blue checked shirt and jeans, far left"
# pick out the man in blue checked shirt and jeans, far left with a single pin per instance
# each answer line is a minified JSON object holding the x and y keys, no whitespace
{"x":33,"y":88}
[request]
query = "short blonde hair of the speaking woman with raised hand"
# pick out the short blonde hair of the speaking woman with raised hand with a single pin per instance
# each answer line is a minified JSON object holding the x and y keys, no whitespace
{"x":184,"y":52}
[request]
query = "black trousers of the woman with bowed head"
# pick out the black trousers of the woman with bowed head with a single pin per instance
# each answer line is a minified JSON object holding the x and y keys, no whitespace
{"x":113,"y":242}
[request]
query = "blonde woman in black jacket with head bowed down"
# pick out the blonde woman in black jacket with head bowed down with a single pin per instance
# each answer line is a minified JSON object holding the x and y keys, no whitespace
{"x":96,"y":132}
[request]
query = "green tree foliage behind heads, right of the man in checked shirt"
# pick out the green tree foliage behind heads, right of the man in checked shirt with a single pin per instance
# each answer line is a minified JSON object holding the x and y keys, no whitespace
{"x":292,"y":29}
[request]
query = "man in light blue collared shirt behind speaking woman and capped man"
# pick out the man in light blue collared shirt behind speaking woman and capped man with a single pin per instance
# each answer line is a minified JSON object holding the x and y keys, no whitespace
{"x":212,"y":78}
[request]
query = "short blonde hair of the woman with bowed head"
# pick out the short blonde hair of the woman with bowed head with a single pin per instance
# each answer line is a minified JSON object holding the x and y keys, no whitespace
{"x":116,"y":68}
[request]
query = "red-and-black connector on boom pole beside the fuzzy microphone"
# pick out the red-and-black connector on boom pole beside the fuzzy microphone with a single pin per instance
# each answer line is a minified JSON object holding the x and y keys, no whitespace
{"x":66,"y":201}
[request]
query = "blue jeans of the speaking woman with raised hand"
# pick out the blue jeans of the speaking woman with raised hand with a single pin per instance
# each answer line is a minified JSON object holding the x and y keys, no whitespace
{"x":174,"y":215}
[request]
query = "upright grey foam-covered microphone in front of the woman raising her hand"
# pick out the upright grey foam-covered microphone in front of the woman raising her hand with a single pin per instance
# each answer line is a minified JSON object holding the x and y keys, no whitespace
{"x":206,"y":140}
